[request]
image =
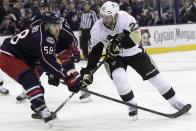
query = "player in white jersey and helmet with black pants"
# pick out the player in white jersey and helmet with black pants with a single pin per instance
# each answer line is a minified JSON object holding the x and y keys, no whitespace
{"x":119,"y":33}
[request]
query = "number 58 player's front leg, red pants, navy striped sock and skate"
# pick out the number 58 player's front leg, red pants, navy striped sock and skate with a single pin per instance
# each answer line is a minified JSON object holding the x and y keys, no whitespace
{"x":27,"y":78}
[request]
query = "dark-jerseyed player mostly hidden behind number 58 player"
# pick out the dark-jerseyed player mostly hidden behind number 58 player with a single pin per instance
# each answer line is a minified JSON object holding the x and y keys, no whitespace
{"x":66,"y":48}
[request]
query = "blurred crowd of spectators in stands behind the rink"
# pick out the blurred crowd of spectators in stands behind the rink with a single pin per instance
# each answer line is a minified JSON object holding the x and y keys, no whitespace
{"x":13,"y":13}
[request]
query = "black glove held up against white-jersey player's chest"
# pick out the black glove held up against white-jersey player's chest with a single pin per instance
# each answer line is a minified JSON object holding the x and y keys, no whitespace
{"x":114,"y":45}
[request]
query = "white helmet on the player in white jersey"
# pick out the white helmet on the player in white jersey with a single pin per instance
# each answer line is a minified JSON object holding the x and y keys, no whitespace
{"x":109,"y":9}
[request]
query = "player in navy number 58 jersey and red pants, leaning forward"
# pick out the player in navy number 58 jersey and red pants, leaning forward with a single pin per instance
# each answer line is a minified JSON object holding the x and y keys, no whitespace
{"x":20,"y":53}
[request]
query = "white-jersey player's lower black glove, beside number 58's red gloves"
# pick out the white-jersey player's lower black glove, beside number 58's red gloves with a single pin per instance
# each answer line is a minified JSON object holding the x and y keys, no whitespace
{"x":85,"y":79}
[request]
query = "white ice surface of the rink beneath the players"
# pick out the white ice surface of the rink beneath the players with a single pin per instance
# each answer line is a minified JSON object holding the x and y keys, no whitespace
{"x":178,"y":68}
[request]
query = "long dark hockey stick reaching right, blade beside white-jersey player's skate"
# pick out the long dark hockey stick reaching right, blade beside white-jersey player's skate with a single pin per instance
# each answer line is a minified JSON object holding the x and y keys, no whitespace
{"x":184,"y":110}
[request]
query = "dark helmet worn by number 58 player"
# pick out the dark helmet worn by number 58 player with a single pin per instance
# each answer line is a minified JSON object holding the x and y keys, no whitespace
{"x":51,"y":18}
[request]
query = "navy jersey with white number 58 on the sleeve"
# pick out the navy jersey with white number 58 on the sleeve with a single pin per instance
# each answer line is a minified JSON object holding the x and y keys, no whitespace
{"x":32,"y":45}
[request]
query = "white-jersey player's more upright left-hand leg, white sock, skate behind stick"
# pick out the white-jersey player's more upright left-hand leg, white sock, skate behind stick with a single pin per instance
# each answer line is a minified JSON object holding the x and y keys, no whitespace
{"x":117,"y":71}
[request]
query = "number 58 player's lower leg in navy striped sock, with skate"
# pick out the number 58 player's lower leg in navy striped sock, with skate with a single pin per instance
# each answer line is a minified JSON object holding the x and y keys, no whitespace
{"x":35,"y":93}
